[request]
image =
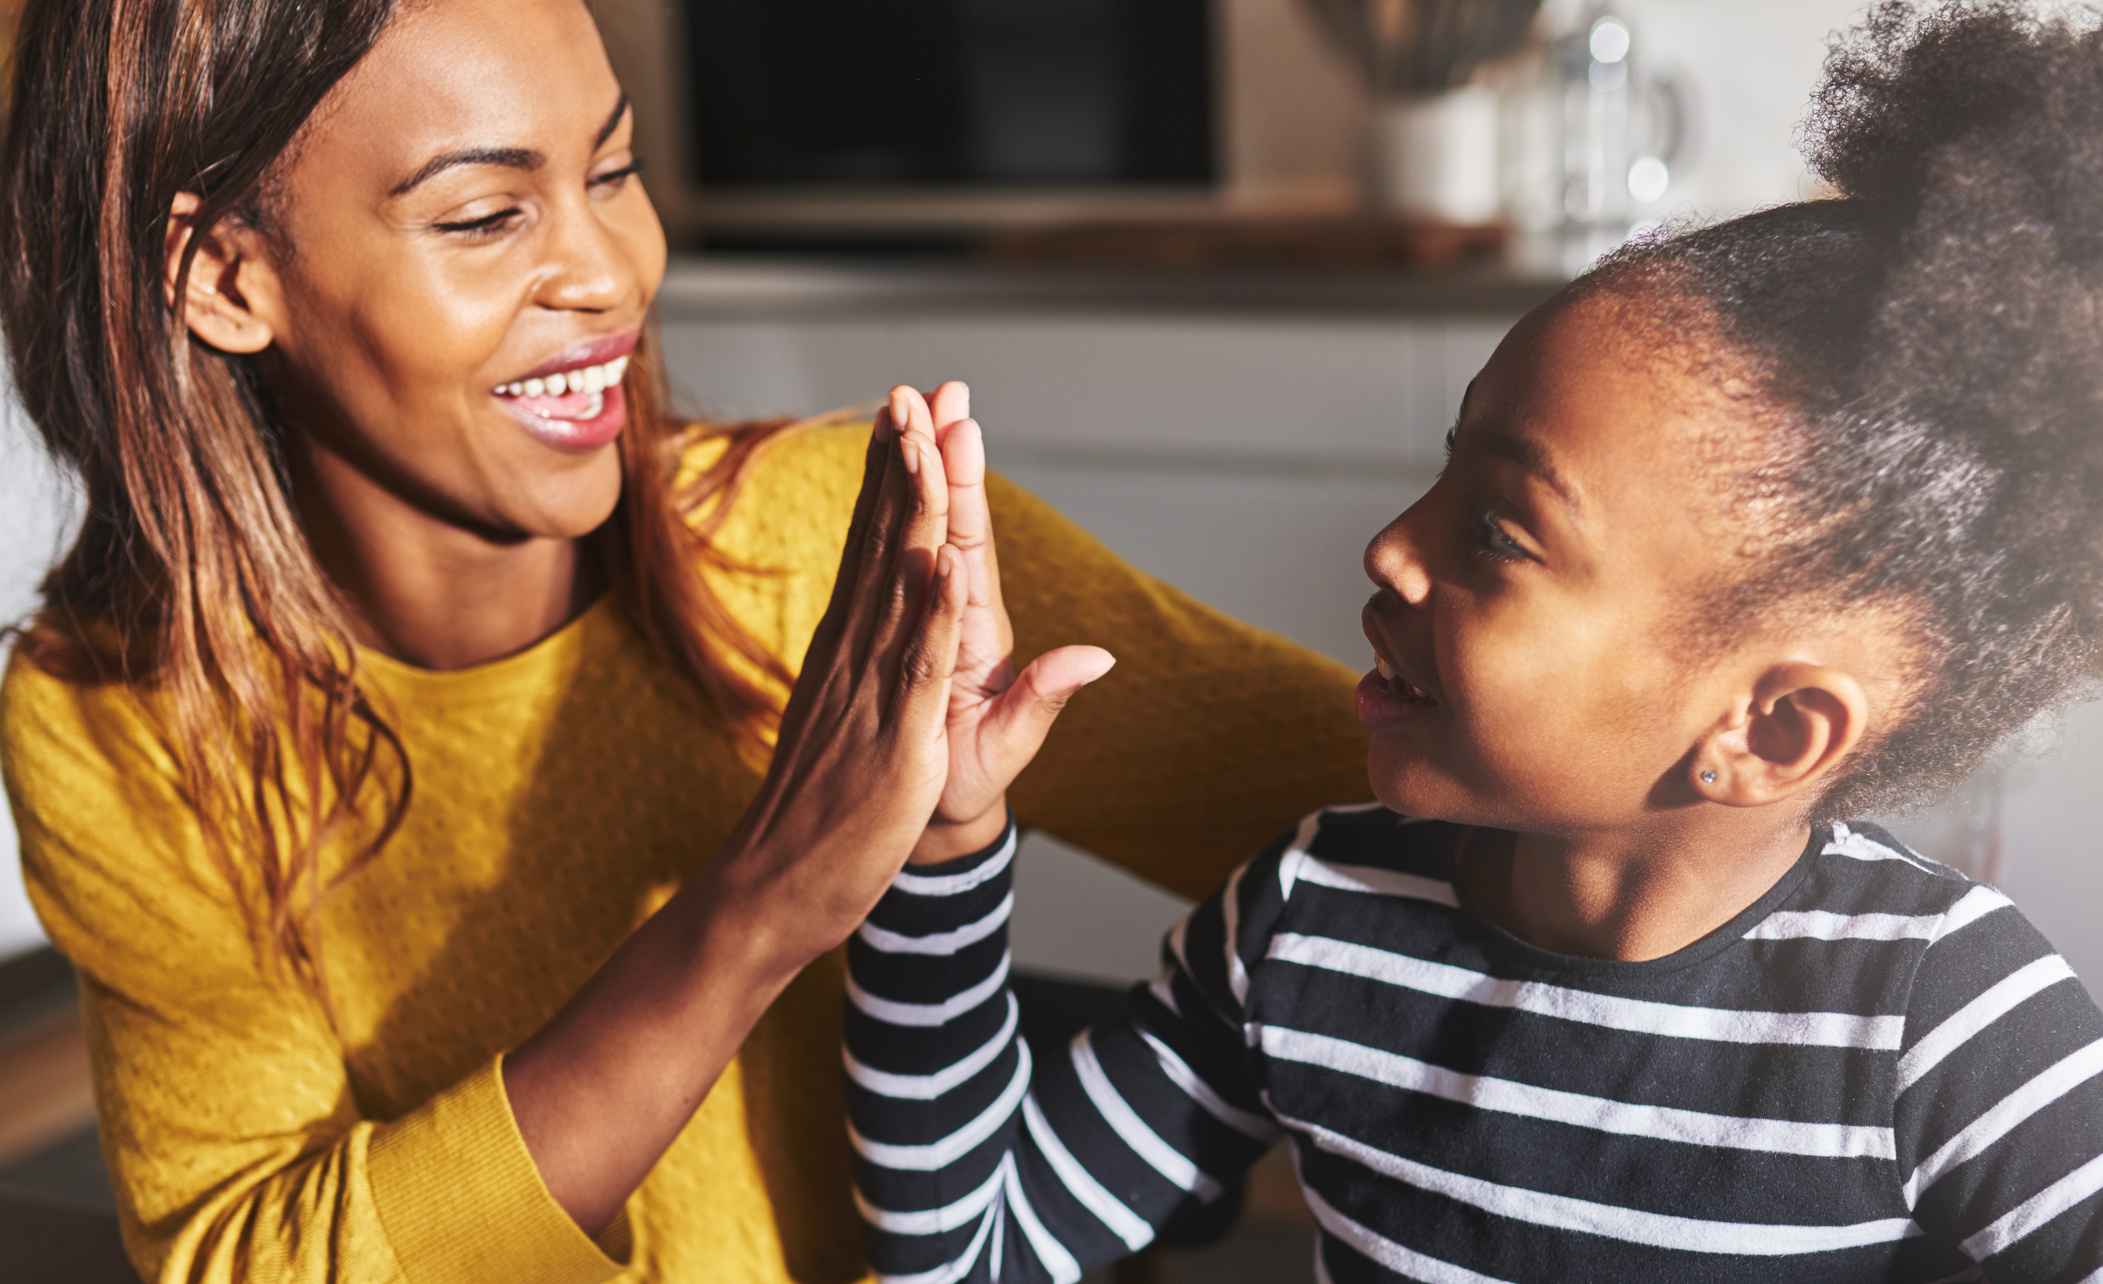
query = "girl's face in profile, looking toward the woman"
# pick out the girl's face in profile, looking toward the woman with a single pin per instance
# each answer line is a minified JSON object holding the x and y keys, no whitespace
{"x":1536,"y":604}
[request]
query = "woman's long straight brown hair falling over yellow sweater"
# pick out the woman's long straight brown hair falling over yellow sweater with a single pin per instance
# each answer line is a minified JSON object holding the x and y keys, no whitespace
{"x":192,"y":579}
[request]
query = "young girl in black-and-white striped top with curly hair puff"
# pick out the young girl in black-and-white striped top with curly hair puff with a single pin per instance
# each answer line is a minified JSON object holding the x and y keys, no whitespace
{"x":1751,"y":531}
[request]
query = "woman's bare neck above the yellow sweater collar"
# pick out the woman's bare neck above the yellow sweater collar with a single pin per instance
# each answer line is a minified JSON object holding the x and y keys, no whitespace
{"x":430,"y":592}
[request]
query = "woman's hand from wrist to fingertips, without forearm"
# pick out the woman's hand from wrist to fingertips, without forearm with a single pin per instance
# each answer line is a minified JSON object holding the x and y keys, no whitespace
{"x":863,"y":751}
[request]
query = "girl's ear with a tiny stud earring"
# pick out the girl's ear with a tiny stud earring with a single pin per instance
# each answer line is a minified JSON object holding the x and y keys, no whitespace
{"x":1799,"y":724}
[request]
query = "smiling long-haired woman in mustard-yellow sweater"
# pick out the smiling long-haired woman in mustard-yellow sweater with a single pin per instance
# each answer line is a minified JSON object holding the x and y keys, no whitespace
{"x":392,"y":753}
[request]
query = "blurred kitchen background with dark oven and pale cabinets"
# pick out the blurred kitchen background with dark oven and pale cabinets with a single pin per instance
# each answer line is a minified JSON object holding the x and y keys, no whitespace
{"x":1217,"y":272}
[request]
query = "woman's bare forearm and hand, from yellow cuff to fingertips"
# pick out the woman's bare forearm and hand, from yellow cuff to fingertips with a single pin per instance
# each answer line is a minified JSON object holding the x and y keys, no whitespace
{"x":863,"y":758}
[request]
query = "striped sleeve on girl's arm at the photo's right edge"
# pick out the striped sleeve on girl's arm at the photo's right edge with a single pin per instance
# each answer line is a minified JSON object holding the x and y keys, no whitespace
{"x":1999,"y":1109}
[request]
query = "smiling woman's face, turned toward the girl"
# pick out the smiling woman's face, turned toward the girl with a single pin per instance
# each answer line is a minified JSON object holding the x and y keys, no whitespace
{"x":460,"y":266}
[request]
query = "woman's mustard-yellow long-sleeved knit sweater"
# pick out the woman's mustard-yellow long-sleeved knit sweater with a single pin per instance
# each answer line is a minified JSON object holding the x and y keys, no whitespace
{"x":560,"y":798}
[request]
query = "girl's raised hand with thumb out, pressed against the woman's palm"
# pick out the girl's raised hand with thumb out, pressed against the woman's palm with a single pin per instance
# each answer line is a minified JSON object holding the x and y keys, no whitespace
{"x":996,"y":718}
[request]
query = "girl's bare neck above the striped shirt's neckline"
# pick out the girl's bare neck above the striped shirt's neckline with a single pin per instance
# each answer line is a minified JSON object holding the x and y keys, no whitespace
{"x":1629,"y":896}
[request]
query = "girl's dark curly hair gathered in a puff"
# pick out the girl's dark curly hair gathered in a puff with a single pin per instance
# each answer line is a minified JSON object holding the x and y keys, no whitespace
{"x":1934,"y":341}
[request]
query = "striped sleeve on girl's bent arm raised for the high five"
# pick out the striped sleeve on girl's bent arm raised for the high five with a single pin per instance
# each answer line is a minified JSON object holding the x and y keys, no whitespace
{"x":975,"y":1161}
